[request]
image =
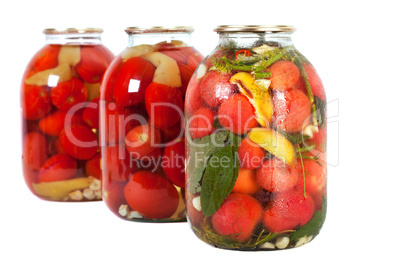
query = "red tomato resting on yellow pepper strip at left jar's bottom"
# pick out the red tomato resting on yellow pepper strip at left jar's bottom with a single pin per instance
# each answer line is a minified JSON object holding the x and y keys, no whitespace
{"x":58,"y":168}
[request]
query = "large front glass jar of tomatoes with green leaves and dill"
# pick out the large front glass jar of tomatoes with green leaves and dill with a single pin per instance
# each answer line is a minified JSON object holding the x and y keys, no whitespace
{"x":255,"y":114}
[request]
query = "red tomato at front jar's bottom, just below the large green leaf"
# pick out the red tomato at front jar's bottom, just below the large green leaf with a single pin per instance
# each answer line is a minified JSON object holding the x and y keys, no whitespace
{"x":237,"y":217}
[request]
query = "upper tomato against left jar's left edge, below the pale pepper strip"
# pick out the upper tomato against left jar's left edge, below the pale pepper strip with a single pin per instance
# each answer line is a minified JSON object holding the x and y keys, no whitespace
{"x":35,"y":101}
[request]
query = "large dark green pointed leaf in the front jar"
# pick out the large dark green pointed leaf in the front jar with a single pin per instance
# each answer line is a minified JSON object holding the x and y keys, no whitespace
{"x":218,"y":180}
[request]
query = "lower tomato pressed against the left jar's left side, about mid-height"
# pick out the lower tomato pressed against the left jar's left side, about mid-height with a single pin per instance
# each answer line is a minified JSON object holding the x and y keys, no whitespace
{"x":35,"y":150}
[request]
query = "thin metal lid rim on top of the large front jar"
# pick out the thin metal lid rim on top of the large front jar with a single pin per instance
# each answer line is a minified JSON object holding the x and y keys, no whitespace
{"x":254,"y":28}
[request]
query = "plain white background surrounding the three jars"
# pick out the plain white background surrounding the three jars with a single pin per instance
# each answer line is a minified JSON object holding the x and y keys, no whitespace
{"x":356,"y":48}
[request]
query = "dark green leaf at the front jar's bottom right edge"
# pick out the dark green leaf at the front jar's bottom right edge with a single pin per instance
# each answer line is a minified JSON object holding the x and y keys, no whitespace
{"x":313,"y":227}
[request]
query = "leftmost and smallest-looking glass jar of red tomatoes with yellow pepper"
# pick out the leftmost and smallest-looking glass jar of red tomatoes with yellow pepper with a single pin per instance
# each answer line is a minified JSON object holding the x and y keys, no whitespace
{"x":60,"y":121}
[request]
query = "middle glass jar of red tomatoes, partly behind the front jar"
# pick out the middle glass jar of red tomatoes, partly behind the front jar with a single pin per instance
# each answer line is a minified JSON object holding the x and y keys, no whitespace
{"x":141,"y":113}
